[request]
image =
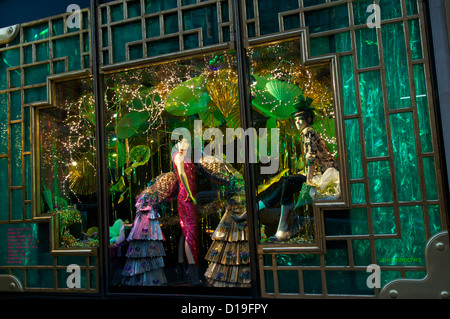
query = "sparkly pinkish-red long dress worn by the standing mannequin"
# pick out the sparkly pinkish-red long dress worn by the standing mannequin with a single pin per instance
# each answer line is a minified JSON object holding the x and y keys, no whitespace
{"x":187,"y":210}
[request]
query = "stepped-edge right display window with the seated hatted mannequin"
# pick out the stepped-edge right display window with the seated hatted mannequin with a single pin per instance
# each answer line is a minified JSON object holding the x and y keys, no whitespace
{"x":303,"y":155}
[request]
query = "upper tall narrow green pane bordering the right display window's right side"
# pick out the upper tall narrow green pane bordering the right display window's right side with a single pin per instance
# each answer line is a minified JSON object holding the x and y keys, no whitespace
{"x":348,"y":85}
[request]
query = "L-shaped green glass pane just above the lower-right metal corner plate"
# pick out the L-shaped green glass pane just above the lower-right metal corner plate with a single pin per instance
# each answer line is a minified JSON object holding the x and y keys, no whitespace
{"x":410,"y":249}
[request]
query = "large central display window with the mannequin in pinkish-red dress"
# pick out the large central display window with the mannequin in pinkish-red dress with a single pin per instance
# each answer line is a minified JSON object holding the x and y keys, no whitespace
{"x":170,"y":211}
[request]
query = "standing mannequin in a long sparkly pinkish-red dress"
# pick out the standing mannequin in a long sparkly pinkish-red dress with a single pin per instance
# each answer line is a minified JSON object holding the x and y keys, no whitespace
{"x":186,"y":202}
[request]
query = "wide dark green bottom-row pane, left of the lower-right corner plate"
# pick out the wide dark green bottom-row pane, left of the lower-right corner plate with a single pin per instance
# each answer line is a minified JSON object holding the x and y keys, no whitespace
{"x":347,"y":282}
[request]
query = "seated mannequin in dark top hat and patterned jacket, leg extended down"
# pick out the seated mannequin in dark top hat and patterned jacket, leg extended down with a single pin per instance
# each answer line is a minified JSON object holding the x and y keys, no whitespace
{"x":318,"y":159}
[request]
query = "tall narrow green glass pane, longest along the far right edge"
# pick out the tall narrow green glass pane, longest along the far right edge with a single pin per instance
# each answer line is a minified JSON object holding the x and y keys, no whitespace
{"x":423,"y":113}
